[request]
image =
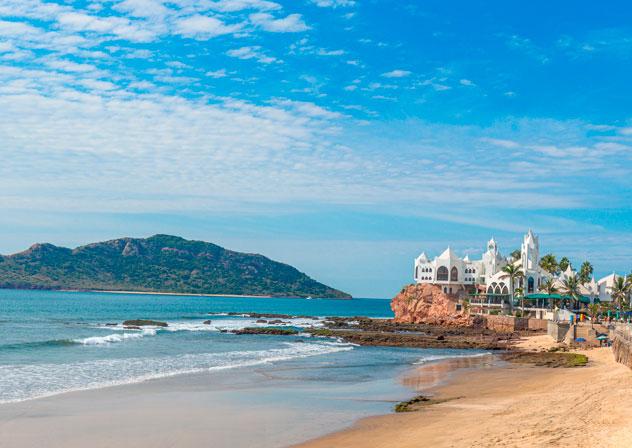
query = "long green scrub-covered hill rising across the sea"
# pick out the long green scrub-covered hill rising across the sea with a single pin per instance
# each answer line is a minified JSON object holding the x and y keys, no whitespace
{"x":161,"y":263}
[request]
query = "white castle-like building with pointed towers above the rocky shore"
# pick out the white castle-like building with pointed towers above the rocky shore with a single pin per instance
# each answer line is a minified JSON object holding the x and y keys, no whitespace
{"x":484,"y":279}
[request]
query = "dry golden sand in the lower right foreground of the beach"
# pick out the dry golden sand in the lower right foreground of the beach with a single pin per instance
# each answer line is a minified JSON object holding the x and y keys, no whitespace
{"x":512,"y":406}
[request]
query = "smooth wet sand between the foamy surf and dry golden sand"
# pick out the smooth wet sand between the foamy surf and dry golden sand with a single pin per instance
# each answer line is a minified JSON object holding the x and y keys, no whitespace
{"x":191,"y":409}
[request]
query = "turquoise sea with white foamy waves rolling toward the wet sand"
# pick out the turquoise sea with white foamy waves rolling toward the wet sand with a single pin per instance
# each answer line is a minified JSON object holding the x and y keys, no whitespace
{"x":53,"y":342}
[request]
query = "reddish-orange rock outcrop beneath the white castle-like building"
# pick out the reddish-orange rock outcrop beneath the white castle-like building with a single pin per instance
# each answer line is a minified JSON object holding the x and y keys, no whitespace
{"x":427,"y":304}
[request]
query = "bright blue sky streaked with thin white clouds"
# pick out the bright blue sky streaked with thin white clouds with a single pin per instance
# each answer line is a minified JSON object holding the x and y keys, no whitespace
{"x":340,"y":136}
